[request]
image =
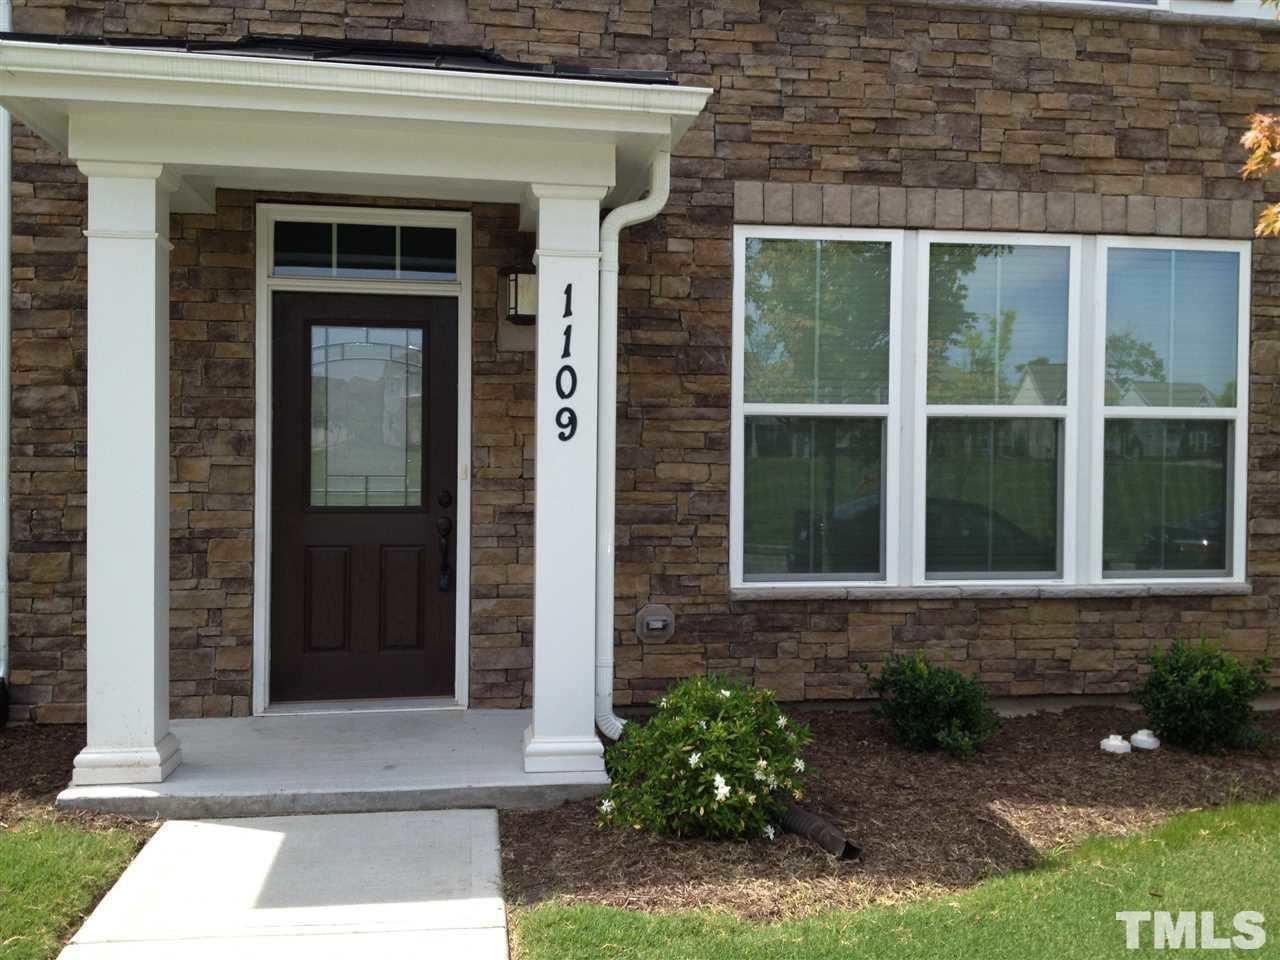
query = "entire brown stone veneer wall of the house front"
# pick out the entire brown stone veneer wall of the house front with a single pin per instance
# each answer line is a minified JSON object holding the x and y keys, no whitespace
{"x":861,"y":113}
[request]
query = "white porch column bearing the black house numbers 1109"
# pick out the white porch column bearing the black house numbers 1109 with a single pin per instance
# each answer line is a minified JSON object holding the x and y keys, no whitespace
{"x":563,"y":737}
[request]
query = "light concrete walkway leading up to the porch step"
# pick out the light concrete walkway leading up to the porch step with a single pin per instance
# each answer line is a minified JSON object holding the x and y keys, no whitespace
{"x":378,"y":885}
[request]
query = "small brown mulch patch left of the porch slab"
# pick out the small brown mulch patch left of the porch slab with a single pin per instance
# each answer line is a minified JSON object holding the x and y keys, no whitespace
{"x":35,"y":766}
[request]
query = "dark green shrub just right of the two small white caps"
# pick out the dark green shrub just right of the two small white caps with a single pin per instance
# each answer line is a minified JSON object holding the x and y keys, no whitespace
{"x":1201,"y":698}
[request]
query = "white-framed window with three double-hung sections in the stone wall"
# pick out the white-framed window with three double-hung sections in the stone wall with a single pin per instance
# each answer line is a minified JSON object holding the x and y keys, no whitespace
{"x":976,"y":419}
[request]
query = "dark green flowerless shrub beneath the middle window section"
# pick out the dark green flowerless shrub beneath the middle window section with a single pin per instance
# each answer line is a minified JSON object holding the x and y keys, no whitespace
{"x":932,"y":708}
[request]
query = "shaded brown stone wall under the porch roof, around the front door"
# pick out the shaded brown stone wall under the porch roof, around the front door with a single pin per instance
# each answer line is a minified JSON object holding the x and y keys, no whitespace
{"x":212,"y":473}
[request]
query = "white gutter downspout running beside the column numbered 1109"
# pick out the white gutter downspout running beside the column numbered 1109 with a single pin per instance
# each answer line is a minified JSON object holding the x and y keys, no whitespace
{"x":607,"y":459}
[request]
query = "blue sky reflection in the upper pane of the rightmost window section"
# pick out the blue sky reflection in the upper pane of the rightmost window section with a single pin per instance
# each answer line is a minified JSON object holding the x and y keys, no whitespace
{"x":1183,"y":305}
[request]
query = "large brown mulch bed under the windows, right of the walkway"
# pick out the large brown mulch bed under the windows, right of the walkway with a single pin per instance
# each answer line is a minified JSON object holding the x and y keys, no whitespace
{"x":929,"y":824}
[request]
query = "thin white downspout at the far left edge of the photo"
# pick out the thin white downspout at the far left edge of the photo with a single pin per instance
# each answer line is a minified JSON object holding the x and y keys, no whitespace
{"x":6,"y":333}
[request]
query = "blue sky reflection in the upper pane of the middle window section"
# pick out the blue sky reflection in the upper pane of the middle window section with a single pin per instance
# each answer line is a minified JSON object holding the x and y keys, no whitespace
{"x":1034,"y":285}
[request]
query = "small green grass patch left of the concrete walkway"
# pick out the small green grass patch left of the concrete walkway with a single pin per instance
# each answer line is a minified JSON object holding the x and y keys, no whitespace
{"x":51,"y":875}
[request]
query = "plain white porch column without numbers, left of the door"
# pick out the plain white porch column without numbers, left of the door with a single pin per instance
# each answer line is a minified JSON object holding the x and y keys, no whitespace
{"x":129,"y":478}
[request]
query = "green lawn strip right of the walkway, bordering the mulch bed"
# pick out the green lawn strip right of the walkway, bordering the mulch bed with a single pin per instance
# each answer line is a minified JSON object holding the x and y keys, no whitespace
{"x":1222,"y":861}
